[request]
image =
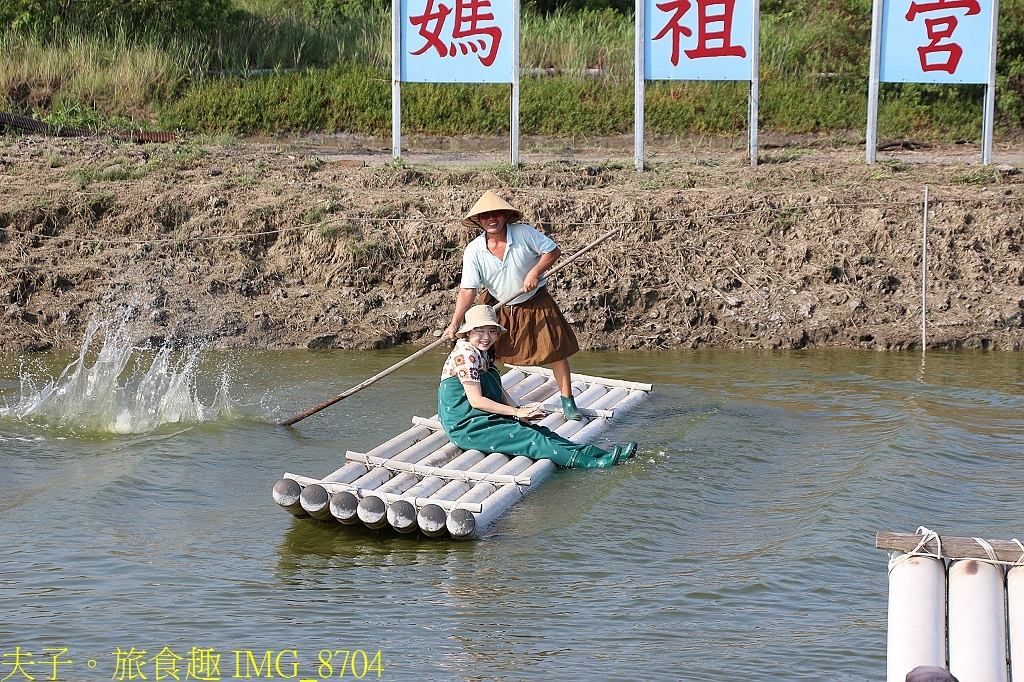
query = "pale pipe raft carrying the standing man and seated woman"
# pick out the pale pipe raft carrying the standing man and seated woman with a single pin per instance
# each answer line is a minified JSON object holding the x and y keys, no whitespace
{"x":420,"y":482}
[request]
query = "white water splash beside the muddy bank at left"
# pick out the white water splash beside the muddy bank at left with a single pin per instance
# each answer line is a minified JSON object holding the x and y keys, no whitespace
{"x":107,"y":397}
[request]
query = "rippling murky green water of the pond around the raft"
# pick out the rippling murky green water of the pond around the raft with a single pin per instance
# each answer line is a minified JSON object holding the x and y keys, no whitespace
{"x":739,"y":545}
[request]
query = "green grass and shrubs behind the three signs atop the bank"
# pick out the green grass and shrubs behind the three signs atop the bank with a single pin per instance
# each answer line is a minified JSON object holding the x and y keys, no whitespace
{"x":271,"y":66}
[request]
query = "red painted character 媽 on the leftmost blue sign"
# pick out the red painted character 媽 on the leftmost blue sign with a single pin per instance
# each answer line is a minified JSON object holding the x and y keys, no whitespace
{"x":468,"y":34}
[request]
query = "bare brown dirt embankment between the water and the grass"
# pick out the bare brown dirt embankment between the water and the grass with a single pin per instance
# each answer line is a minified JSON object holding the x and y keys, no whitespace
{"x":271,"y":246}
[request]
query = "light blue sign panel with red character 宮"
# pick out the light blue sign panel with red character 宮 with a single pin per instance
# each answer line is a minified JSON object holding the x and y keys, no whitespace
{"x":936,"y":41}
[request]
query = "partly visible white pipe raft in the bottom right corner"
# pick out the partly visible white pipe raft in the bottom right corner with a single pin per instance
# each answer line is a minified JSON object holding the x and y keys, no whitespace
{"x":958,"y":602}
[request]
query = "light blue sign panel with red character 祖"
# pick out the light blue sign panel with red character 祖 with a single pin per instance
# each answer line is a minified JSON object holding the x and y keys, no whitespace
{"x":699,"y":40}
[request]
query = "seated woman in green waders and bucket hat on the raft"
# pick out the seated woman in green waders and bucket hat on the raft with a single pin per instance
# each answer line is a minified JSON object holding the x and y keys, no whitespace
{"x":474,"y":411}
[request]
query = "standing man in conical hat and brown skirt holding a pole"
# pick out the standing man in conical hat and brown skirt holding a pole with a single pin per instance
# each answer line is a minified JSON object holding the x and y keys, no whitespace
{"x":507,"y":259}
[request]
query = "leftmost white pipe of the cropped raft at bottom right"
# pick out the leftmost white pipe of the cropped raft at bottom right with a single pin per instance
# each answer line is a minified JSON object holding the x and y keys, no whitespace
{"x":917,"y":633}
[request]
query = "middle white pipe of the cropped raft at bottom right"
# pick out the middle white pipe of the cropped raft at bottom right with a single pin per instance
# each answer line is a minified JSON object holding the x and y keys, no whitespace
{"x":977,"y":622}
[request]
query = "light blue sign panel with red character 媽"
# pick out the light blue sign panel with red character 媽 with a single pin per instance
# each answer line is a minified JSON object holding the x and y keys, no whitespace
{"x":457,"y":41}
